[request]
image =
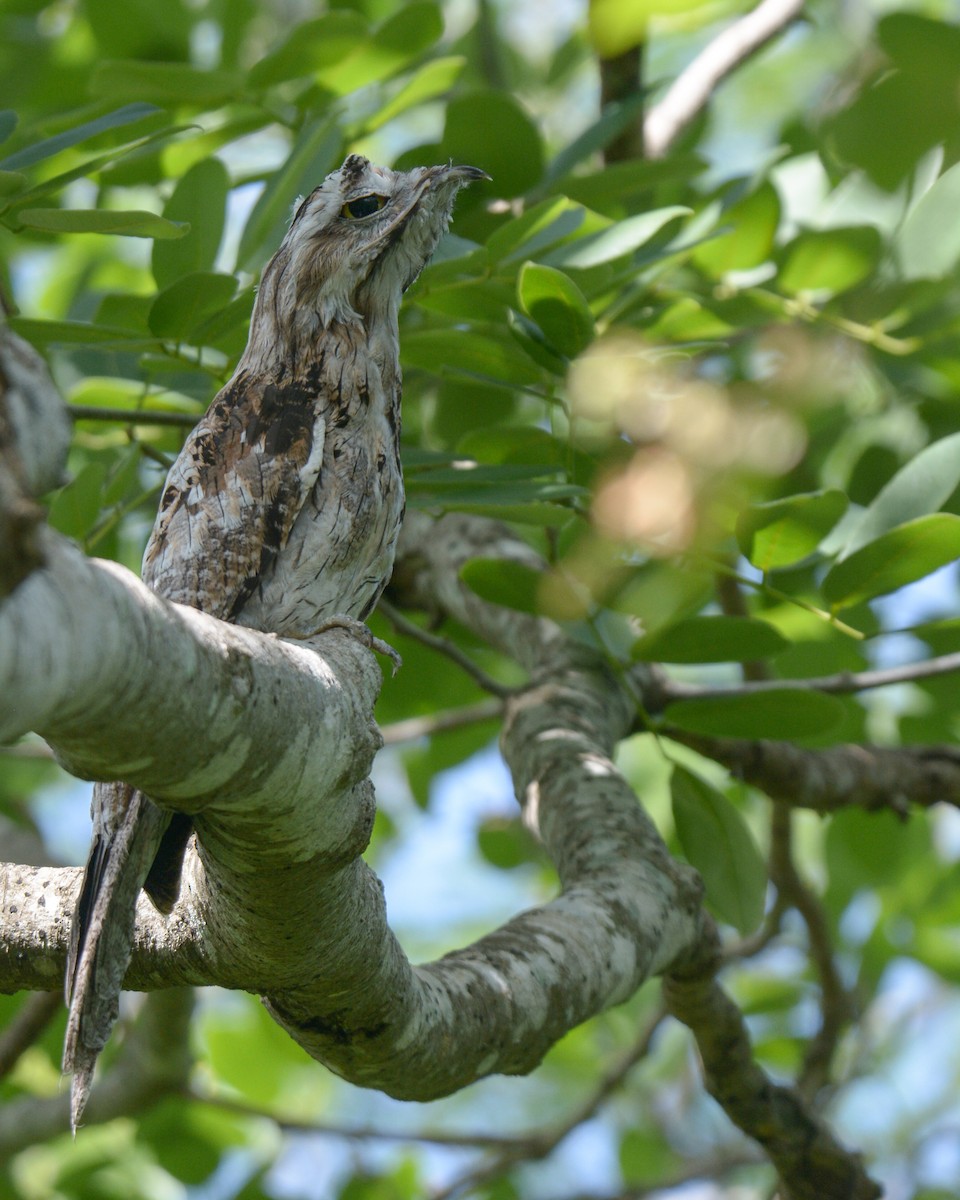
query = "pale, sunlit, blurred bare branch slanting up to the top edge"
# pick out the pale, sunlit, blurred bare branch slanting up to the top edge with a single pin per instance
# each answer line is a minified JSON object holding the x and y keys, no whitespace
{"x":692,"y":91}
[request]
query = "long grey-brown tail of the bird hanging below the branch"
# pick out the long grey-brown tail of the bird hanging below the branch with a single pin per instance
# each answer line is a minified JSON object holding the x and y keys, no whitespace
{"x":103,"y":934}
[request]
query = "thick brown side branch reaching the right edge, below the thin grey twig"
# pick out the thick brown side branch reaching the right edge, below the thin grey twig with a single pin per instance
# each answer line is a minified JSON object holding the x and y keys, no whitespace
{"x":839,"y":777}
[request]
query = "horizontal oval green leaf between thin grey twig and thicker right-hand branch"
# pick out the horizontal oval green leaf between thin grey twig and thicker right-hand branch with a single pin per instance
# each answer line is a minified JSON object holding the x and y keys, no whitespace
{"x":775,"y":713}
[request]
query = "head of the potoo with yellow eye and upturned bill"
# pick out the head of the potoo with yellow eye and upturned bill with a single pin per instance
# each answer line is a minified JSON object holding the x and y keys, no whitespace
{"x":358,"y":242}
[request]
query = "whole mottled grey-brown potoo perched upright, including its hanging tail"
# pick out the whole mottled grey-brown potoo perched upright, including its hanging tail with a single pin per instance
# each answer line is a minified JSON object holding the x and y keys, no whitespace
{"x":281,"y":513}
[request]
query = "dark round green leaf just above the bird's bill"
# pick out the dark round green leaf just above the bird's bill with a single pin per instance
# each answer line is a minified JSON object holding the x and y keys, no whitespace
{"x":490,"y":130}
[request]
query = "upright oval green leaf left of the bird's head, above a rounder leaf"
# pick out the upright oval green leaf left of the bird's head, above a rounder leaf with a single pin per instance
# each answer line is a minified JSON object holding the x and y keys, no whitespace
{"x":201,"y":200}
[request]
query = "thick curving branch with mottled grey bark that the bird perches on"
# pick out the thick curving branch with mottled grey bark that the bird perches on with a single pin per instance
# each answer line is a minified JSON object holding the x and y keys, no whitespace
{"x":271,"y":758}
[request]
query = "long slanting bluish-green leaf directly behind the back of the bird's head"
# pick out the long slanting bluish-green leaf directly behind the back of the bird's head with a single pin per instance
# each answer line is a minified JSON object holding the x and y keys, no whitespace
{"x":310,"y":160}
